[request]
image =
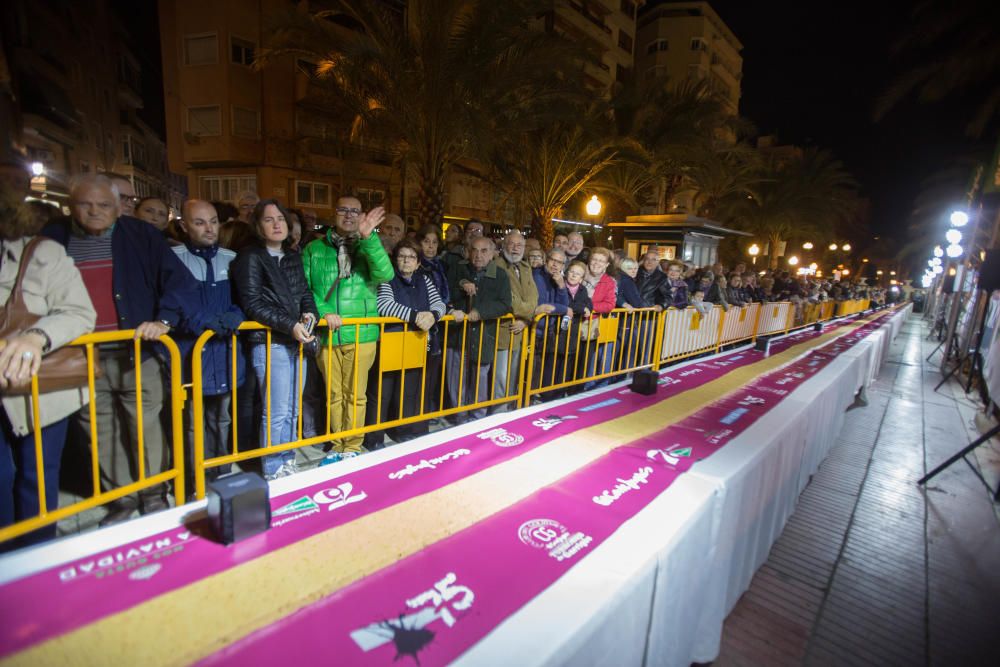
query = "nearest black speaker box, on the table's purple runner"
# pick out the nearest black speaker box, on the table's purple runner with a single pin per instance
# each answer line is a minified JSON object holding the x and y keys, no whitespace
{"x":238,"y":506}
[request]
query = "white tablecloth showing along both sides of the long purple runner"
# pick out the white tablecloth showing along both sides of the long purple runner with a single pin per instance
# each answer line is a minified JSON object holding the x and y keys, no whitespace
{"x":658,"y":590}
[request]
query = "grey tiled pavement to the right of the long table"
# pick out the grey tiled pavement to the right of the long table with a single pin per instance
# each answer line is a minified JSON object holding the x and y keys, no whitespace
{"x":872,"y":569}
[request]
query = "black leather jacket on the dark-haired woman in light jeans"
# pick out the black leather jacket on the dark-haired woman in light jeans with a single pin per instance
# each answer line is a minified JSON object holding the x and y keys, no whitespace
{"x":272,"y":293}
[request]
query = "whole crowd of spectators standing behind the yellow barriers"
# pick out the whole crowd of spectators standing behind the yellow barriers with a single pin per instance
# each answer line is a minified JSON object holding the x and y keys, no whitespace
{"x":118,"y":262}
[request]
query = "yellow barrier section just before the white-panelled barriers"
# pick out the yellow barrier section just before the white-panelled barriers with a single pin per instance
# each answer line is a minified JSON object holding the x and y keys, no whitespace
{"x":570,"y":352}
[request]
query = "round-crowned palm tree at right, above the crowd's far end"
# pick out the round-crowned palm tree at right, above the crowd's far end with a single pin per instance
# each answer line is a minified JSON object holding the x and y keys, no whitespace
{"x":795,"y":199}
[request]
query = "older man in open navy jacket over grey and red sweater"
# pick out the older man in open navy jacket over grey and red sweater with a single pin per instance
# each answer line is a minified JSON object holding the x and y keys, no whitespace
{"x":135,"y":282}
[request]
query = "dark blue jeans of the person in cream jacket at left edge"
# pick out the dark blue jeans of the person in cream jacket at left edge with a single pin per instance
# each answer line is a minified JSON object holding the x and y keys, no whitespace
{"x":19,"y":482}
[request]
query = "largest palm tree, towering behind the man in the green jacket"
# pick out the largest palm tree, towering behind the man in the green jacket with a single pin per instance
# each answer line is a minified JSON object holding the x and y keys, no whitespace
{"x":442,"y":81}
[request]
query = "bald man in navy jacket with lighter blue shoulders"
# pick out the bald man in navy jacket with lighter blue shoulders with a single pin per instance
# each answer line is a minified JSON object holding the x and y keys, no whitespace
{"x":209,"y":264}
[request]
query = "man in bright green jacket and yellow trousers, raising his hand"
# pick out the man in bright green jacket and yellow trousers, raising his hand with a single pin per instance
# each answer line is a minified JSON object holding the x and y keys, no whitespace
{"x":344,"y":270}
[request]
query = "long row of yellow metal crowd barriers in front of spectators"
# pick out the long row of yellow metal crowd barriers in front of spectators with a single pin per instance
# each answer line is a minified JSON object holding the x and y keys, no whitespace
{"x":552,"y":360}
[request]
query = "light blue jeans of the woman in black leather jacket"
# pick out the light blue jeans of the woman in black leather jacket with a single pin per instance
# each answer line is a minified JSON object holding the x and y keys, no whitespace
{"x":284,"y":399}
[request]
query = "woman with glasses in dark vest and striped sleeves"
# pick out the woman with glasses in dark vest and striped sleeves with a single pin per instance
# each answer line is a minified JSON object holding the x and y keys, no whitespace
{"x":412,"y":297}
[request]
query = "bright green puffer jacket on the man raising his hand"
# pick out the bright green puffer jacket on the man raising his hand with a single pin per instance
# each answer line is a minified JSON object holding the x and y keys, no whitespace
{"x":355,"y":296}
